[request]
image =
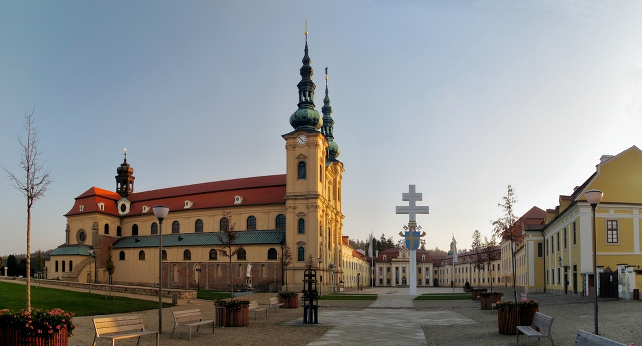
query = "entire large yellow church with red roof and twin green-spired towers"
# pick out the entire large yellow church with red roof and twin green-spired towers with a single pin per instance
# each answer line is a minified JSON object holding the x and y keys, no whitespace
{"x":283,"y":223}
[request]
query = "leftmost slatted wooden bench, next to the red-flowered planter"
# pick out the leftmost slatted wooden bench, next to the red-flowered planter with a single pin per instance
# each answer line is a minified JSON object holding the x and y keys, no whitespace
{"x":115,"y":328}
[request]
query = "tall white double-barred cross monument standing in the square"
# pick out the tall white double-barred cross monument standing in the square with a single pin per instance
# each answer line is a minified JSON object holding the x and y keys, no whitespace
{"x":412,"y":234}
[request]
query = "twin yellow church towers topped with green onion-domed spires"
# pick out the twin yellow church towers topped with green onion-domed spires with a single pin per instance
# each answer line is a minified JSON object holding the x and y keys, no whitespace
{"x":312,"y":200}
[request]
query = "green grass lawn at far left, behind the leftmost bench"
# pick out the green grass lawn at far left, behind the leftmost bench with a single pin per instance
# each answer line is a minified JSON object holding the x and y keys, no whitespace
{"x":14,"y":297}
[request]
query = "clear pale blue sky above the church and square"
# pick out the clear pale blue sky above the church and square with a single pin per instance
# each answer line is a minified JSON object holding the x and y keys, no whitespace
{"x":460,"y":98}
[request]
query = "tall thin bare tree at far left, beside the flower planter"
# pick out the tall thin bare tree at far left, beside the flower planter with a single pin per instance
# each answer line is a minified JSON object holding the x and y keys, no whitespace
{"x":33,"y":182}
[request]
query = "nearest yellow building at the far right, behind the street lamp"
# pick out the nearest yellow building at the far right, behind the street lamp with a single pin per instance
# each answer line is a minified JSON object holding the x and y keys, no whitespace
{"x":568,"y":237}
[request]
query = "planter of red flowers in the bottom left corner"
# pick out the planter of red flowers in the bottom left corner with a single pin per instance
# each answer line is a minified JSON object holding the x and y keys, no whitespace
{"x":36,"y":327}
